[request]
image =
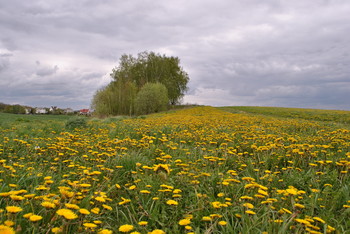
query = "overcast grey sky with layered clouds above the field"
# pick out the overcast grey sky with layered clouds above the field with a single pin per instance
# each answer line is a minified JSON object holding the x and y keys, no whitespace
{"x":247,"y":53}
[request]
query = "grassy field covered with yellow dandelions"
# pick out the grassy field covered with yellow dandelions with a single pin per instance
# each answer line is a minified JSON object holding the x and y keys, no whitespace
{"x":196,"y":170}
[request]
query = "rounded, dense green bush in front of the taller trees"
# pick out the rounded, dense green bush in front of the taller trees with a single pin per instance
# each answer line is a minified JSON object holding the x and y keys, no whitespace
{"x":153,"y":97}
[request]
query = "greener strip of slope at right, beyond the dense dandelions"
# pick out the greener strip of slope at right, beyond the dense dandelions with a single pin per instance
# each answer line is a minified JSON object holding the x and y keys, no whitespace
{"x":336,"y":116}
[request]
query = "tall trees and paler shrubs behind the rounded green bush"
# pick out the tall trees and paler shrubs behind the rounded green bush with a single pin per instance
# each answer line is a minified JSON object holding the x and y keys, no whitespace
{"x":118,"y":98}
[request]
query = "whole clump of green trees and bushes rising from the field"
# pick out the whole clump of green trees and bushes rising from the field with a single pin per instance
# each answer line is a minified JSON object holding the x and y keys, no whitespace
{"x":144,"y":84}
